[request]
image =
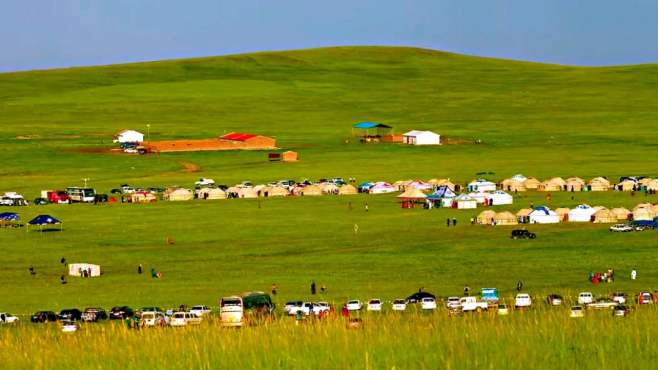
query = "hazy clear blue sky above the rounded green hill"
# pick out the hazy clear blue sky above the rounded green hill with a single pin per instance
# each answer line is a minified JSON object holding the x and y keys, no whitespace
{"x":60,"y":33}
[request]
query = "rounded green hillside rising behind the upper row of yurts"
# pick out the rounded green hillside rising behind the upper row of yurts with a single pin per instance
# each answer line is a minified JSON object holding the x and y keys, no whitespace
{"x":542,"y":120}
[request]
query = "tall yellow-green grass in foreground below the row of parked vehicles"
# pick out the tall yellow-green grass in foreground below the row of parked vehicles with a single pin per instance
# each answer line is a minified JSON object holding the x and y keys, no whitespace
{"x":535,"y":339}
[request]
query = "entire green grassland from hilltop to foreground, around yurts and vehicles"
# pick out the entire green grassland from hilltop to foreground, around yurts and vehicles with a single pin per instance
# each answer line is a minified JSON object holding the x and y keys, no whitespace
{"x":540,"y":120}
